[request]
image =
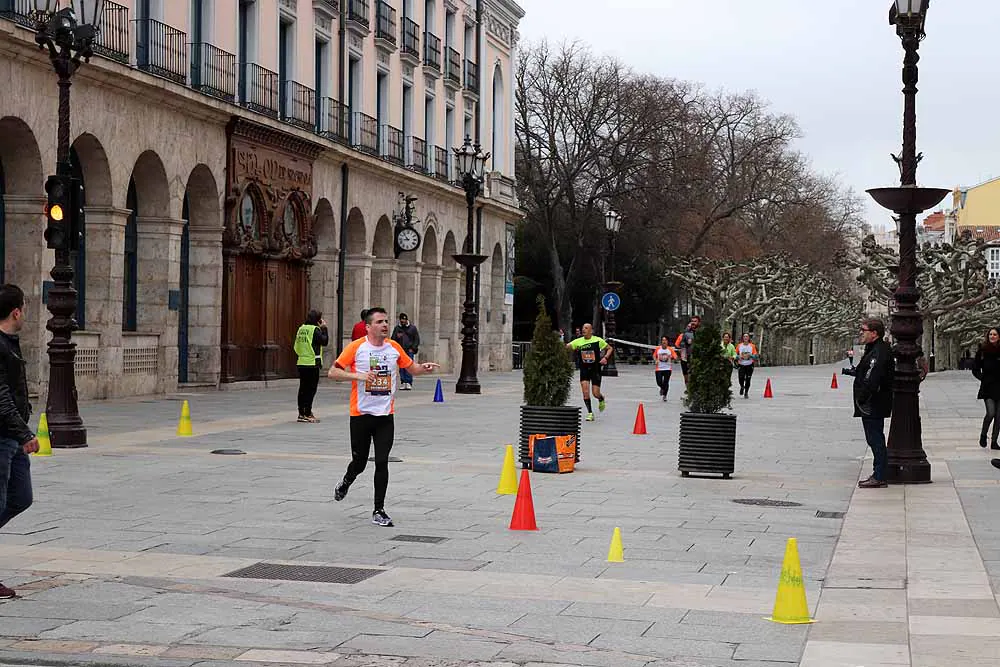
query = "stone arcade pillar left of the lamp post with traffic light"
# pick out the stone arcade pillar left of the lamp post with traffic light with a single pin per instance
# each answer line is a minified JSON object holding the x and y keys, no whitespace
{"x":28,"y":263}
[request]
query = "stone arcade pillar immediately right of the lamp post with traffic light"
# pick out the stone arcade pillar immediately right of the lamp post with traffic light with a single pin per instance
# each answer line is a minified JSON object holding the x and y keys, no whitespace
{"x":105,"y":253}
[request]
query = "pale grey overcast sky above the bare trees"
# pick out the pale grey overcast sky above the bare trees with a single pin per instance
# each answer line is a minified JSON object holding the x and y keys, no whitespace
{"x":838,"y":72}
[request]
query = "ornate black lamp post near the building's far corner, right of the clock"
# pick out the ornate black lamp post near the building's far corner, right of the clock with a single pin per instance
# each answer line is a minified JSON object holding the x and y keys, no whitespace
{"x":471,"y":162}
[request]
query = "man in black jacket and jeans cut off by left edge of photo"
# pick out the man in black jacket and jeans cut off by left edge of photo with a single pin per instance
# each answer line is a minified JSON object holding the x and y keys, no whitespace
{"x":16,"y":438}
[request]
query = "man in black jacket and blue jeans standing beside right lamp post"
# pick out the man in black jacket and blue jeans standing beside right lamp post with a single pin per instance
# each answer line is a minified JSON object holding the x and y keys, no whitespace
{"x":873,"y":396}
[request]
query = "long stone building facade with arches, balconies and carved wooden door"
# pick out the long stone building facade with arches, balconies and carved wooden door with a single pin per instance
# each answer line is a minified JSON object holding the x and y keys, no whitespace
{"x":245,"y":160}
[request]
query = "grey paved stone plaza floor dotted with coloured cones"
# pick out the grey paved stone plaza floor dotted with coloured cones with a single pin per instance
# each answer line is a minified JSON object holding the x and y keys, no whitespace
{"x":120,"y":560}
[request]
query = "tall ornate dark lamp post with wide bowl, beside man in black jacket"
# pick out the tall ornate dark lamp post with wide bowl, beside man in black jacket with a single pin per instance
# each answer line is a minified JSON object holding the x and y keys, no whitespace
{"x":907,"y":460}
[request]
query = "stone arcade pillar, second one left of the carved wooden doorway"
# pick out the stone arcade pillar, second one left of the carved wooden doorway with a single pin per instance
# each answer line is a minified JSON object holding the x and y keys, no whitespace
{"x":159,"y":272}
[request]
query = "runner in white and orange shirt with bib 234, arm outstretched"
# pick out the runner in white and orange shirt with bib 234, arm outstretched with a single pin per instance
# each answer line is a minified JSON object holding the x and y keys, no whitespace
{"x":371,"y":365}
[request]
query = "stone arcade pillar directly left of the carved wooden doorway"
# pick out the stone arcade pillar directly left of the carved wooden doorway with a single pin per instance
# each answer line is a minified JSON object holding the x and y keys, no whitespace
{"x":205,"y":304}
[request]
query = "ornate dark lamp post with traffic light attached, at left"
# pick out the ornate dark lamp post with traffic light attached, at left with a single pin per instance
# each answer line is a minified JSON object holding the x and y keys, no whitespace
{"x":68,"y":33}
